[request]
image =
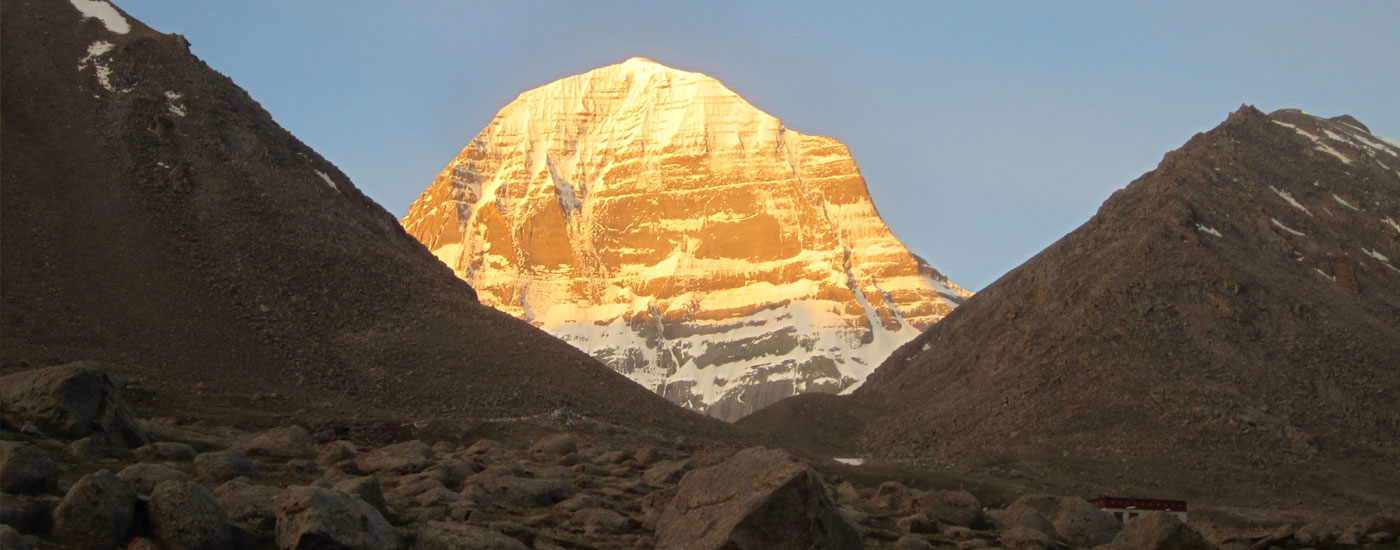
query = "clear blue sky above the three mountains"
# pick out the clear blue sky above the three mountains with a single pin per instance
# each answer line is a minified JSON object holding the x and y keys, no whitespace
{"x":986,"y":131}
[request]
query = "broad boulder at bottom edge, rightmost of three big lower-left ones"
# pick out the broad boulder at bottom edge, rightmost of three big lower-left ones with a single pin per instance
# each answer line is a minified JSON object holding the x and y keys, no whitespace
{"x":318,"y":519}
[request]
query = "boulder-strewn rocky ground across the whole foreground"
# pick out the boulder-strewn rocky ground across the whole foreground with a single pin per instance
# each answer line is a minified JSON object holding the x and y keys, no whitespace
{"x":82,"y":471}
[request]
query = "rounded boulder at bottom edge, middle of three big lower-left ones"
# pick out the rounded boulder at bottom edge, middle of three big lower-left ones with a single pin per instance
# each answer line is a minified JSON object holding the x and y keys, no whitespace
{"x":185,"y":517}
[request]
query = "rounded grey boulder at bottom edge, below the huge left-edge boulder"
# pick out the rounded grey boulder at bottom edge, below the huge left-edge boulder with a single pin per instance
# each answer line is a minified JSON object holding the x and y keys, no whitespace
{"x":97,"y":513}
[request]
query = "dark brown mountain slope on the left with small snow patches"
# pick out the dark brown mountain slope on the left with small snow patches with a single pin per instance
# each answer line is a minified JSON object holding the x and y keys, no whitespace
{"x":156,"y":218}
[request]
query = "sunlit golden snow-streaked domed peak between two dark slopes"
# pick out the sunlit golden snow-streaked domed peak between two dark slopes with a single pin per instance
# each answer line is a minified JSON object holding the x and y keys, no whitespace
{"x":656,"y":220}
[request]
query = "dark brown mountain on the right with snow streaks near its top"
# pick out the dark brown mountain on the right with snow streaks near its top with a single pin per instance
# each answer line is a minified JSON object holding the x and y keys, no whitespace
{"x":1226,"y":328}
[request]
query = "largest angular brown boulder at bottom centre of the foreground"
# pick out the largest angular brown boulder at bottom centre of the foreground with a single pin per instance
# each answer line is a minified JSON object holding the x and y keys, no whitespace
{"x":758,"y":499}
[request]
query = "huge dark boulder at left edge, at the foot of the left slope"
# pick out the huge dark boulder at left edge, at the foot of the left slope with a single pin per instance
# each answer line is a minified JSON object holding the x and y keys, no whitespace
{"x":69,"y":402}
